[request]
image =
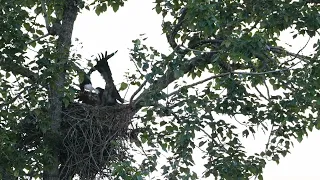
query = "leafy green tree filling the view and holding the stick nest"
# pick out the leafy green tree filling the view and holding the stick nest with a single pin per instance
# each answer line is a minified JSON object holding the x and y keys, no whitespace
{"x":231,"y":46}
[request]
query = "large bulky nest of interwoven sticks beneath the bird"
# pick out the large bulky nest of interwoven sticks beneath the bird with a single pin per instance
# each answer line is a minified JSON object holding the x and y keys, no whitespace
{"x":93,"y":138}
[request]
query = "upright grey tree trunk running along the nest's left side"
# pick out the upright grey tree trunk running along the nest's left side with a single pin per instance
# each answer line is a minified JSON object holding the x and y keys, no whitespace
{"x":55,"y":94}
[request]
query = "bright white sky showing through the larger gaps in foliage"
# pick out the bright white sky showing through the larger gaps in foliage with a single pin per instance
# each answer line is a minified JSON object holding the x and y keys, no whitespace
{"x":115,"y":31}
